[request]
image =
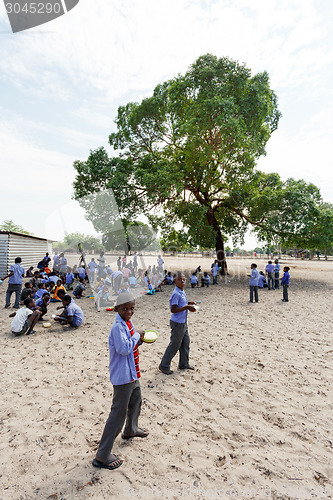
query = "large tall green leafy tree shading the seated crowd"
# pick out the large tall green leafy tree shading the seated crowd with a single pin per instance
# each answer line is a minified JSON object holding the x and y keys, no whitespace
{"x":189,"y":151}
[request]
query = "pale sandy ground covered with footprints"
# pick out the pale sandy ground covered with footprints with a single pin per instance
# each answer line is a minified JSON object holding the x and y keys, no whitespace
{"x":253,"y":421}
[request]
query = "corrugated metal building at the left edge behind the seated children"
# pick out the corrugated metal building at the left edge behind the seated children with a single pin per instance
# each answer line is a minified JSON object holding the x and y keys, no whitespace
{"x":30,"y":248}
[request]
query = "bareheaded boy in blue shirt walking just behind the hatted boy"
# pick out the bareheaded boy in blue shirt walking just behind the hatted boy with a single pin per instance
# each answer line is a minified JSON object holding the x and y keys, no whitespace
{"x":179,"y":340}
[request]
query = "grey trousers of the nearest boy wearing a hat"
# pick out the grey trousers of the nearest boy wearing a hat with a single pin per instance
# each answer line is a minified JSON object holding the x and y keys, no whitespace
{"x":126,"y":403}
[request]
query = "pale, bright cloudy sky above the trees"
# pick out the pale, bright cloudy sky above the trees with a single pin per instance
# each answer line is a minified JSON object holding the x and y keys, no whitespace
{"x":61,"y":85}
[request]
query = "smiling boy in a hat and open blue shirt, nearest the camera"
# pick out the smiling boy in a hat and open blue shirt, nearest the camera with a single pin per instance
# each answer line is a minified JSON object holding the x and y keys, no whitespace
{"x":124,"y":376}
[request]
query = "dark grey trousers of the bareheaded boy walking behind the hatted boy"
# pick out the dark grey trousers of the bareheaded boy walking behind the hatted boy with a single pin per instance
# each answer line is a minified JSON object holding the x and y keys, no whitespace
{"x":179,"y":341}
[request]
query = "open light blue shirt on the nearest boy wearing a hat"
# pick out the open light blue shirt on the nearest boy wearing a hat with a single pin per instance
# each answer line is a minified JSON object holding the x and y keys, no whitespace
{"x":121,"y":345}
